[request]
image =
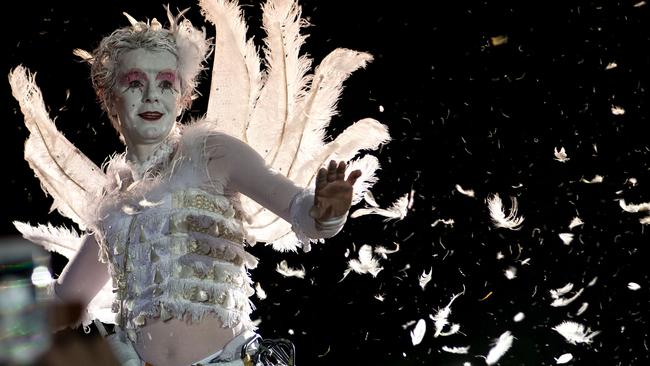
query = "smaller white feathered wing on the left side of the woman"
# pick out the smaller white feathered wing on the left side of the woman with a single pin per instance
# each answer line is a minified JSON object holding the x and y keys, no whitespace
{"x":73,"y":181}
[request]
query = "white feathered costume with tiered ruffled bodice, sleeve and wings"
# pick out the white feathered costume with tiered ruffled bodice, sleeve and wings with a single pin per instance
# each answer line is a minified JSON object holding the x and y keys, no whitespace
{"x":174,"y":236}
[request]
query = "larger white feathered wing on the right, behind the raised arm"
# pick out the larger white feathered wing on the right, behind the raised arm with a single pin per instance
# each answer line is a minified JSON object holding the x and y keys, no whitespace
{"x":285,"y":119}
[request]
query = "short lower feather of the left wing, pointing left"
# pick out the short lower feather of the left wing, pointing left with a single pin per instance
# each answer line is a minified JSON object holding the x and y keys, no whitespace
{"x":55,"y":239}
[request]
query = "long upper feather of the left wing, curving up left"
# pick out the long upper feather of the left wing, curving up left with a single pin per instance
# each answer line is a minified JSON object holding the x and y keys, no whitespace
{"x":73,"y":181}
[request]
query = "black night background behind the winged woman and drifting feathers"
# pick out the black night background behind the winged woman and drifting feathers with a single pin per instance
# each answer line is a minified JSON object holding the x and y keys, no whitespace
{"x":462,"y":110}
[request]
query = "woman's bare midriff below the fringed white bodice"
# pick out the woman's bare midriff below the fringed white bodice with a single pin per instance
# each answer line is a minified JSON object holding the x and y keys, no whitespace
{"x":179,"y":343}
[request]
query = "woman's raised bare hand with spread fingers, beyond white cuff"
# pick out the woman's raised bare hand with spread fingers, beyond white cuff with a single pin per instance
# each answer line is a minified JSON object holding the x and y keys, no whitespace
{"x":333,"y":193}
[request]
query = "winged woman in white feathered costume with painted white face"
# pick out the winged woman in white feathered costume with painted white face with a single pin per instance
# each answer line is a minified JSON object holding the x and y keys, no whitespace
{"x":167,"y":215}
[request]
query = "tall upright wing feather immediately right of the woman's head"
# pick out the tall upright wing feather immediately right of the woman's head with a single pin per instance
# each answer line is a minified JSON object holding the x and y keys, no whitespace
{"x":236,"y":76}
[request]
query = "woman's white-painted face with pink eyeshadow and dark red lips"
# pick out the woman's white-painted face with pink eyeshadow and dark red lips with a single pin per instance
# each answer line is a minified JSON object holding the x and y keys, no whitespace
{"x":147,"y":94}
